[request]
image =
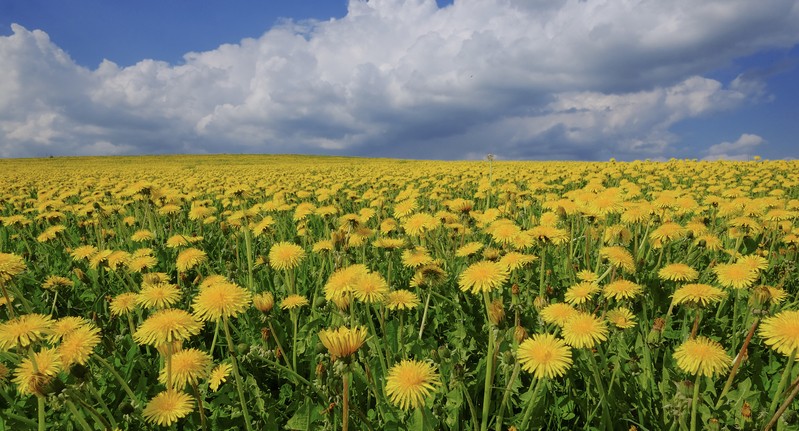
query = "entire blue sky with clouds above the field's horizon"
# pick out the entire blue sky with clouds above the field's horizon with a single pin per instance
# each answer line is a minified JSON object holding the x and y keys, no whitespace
{"x":521,"y":79}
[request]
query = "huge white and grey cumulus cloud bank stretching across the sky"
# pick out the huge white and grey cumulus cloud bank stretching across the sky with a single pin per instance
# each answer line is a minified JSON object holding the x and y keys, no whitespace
{"x":520,"y":79}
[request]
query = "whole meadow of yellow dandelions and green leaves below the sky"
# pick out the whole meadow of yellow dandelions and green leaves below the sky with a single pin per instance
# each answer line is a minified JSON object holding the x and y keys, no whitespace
{"x":326,"y":293}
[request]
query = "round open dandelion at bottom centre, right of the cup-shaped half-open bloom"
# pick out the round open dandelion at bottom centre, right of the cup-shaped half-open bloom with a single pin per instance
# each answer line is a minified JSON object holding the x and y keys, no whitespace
{"x":410,"y":382}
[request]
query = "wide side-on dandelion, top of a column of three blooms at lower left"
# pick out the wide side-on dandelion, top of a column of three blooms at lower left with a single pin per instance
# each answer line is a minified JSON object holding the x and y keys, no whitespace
{"x":166,"y":326}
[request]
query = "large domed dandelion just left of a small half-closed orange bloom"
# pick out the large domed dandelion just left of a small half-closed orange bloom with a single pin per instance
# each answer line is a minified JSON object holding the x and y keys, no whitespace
{"x":220,"y":300}
